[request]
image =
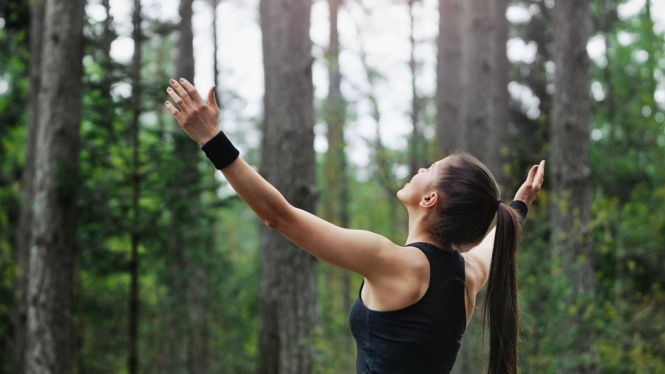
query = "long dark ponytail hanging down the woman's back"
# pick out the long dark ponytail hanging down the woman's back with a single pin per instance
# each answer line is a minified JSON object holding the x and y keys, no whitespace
{"x":501,"y":312}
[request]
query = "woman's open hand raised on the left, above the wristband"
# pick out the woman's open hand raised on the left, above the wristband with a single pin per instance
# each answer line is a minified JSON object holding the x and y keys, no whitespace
{"x":198,"y":119}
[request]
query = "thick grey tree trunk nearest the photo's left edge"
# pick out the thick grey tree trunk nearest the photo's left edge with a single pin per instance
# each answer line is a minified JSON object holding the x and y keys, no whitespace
{"x":50,"y":338}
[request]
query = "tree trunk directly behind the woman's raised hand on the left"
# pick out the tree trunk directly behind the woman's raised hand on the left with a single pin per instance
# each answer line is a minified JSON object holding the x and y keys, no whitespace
{"x":190,"y":286}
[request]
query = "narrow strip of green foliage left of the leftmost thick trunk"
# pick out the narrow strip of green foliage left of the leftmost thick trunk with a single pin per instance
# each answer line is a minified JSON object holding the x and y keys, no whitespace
{"x":13,"y":100}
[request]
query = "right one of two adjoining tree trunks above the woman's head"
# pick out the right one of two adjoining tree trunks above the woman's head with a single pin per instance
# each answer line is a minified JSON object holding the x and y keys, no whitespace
{"x":474,"y":113}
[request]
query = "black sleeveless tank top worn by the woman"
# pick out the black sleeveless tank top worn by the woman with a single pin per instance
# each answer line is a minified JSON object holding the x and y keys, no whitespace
{"x":422,"y":338}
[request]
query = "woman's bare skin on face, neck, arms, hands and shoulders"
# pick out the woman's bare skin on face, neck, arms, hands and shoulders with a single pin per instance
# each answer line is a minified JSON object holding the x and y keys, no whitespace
{"x":395,"y":276}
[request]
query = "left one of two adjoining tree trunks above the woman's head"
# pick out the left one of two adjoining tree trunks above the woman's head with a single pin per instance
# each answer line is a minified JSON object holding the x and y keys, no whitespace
{"x":449,"y":83}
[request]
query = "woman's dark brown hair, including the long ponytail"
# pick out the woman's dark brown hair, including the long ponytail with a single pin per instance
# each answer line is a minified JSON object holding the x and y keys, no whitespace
{"x":466,"y":211}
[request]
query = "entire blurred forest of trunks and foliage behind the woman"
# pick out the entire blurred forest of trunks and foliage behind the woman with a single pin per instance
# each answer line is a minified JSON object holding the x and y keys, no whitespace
{"x":123,"y":250}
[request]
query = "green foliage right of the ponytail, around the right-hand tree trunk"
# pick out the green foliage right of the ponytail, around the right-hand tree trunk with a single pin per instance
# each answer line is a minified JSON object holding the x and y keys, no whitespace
{"x":627,"y":223}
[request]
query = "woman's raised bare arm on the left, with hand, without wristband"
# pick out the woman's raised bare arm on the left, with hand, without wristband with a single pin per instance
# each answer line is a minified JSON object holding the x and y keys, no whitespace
{"x":363,"y":252}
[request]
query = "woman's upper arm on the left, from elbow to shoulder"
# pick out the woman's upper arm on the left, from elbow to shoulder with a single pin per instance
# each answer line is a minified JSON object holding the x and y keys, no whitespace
{"x":362,"y":252}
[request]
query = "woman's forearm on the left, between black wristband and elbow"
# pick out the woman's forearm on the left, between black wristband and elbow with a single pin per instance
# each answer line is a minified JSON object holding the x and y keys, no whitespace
{"x":262,"y":197}
